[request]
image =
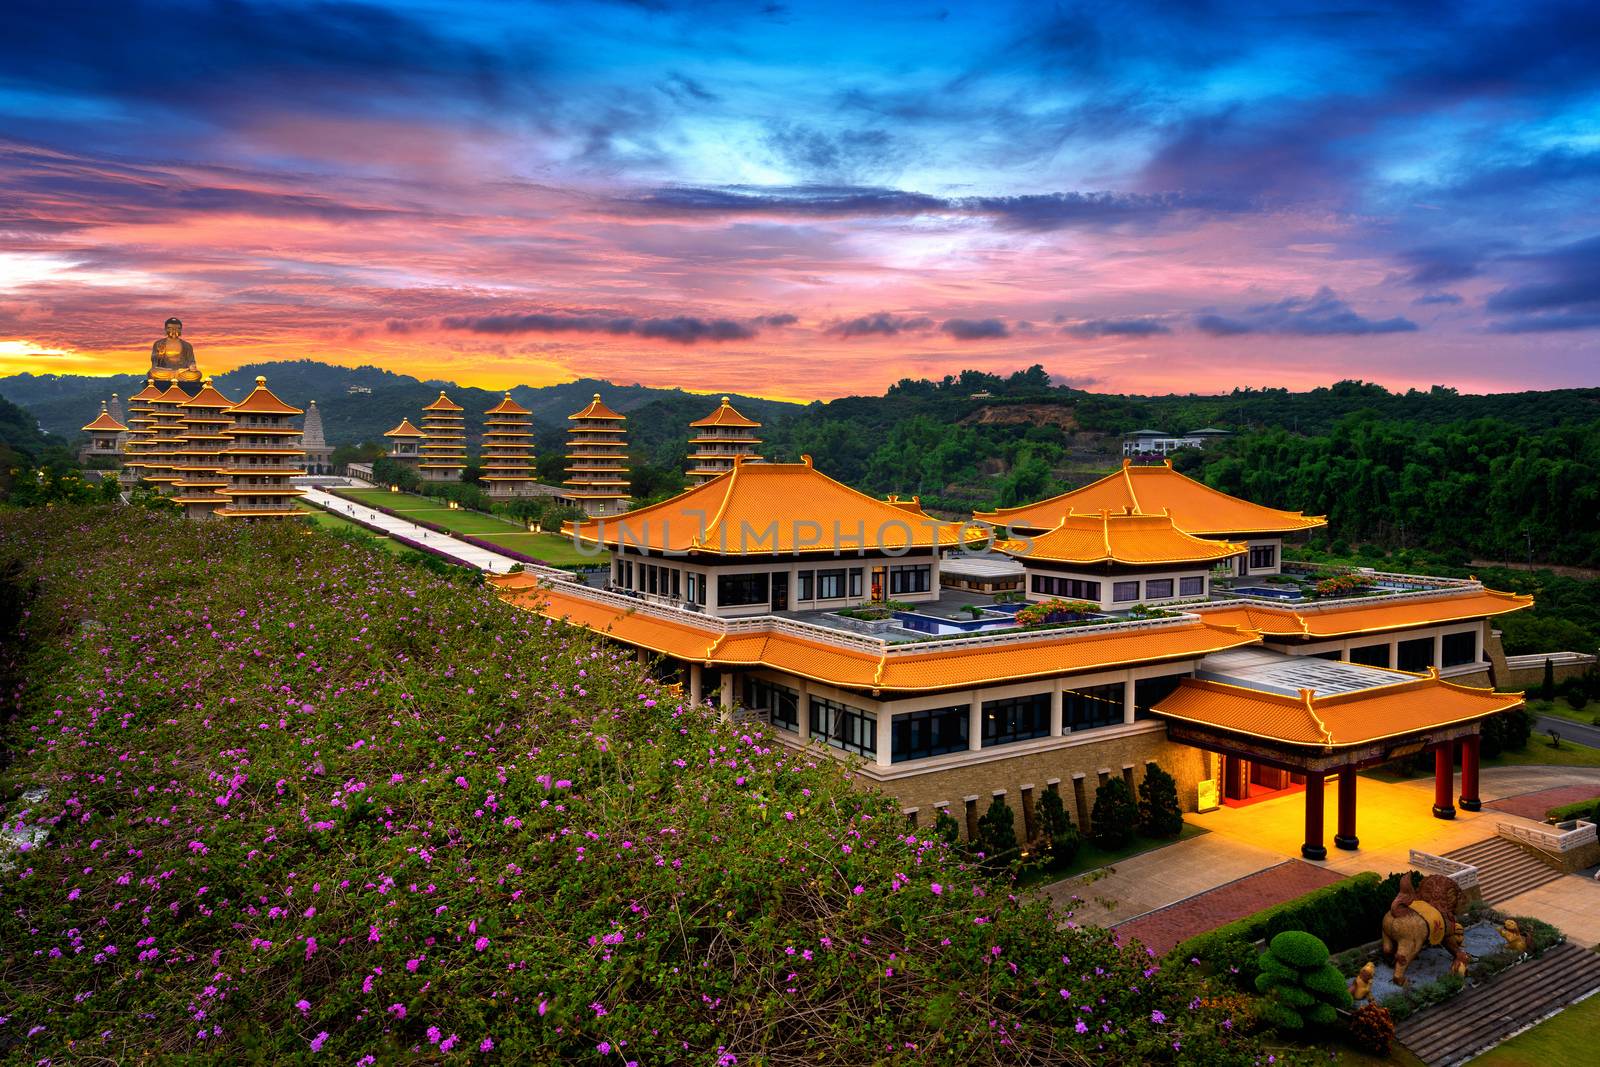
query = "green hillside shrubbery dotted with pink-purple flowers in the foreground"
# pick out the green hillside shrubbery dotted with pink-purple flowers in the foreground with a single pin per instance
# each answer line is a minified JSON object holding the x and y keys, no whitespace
{"x":303,"y":802}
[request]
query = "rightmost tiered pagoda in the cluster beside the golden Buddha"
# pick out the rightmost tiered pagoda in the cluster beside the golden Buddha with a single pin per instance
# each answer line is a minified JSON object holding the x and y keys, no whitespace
{"x":262,"y":457}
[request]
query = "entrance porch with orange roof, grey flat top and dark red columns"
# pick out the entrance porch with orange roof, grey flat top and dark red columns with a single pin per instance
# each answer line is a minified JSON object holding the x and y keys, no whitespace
{"x":1300,"y":735}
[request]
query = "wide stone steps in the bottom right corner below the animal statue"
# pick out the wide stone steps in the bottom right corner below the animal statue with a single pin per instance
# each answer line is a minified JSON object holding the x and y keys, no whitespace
{"x":1484,"y":1017}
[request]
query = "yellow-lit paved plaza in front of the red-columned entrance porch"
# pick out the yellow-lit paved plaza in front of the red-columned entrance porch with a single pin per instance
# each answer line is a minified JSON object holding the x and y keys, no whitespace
{"x":1393,"y":820}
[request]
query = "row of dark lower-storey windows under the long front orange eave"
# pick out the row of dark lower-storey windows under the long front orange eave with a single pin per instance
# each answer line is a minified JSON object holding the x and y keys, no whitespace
{"x":945,"y":730}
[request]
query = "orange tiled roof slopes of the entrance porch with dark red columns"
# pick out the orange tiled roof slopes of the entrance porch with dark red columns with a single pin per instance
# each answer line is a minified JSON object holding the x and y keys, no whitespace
{"x":1346,"y":719}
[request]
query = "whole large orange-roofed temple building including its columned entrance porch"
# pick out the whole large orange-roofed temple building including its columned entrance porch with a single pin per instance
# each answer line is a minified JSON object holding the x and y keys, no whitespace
{"x":815,"y":612}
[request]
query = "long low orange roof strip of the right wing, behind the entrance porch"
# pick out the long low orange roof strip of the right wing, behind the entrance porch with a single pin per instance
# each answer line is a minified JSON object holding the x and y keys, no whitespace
{"x":1345,"y":620}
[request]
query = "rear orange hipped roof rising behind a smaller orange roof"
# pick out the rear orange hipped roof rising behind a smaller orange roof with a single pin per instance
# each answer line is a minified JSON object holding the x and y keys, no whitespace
{"x":1196,"y":508}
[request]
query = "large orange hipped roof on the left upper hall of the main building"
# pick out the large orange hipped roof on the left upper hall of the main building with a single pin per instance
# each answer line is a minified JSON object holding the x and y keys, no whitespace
{"x":764,"y":510}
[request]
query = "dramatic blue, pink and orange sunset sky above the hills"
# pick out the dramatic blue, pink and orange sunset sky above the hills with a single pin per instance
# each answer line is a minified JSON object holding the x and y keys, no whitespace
{"x":809,"y":199}
